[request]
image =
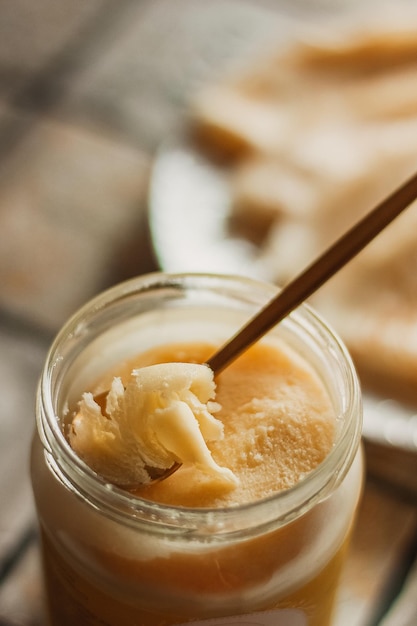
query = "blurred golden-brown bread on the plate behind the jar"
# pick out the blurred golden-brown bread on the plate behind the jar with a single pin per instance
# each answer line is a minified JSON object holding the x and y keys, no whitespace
{"x":316,"y":134}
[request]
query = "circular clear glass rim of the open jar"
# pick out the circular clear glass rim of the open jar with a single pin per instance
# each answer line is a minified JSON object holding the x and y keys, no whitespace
{"x":278,"y":508}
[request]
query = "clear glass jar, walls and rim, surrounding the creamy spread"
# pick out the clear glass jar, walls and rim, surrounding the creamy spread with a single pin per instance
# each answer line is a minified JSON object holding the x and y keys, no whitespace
{"x":110,"y":558}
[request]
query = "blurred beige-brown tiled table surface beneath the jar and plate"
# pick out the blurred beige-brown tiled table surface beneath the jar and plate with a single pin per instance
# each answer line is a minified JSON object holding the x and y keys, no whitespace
{"x":87,"y":92}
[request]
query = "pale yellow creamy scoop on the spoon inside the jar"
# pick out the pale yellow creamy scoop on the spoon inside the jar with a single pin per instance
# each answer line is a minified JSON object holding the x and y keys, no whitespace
{"x":163,"y":416}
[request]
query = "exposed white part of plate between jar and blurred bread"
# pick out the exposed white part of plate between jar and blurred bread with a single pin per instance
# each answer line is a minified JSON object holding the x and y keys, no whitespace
{"x":189,"y":211}
